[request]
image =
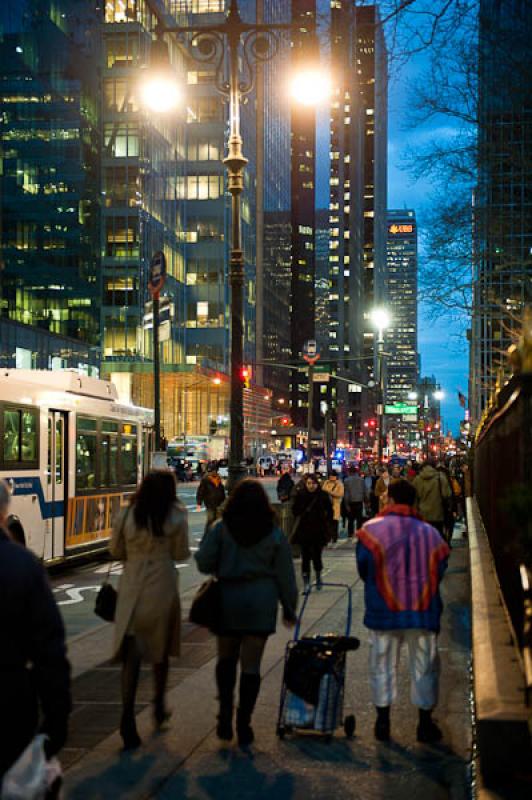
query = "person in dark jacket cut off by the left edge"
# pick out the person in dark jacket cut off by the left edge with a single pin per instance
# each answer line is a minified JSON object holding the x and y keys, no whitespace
{"x":34,"y":670}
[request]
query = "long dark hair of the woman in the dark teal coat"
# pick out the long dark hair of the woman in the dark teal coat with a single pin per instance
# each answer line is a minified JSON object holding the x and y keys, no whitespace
{"x":248,"y":514}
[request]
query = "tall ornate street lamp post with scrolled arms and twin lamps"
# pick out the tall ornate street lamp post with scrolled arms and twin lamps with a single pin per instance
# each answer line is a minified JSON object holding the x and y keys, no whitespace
{"x":248,"y":44}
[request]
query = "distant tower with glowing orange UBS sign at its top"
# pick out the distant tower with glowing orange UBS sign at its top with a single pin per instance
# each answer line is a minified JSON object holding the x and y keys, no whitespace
{"x":401,"y":337}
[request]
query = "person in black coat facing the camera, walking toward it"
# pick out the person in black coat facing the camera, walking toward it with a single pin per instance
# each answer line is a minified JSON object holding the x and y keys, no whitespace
{"x":314,"y":515}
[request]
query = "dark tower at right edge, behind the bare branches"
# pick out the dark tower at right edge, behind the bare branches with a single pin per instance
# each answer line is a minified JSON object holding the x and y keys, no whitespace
{"x":503,"y":201}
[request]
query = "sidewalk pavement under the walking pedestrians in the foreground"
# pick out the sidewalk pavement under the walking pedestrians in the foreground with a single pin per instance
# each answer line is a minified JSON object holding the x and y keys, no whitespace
{"x":187,"y":761}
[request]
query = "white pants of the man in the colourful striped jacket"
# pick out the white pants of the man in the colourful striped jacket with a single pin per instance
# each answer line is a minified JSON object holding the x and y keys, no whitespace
{"x":423,"y":659}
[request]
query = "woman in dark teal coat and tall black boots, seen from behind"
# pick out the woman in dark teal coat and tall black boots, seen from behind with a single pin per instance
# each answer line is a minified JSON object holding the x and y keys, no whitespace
{"x":252,"y":559}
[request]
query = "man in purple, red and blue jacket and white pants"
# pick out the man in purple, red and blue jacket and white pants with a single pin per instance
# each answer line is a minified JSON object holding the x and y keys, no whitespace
{"x":401,"y":560}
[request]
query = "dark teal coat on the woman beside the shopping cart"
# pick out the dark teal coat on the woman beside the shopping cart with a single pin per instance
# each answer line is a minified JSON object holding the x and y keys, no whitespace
{"x":253,"y":580}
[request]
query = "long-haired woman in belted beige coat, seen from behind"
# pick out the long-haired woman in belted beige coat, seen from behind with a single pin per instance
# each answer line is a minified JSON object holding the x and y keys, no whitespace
{"x":150,"y":536}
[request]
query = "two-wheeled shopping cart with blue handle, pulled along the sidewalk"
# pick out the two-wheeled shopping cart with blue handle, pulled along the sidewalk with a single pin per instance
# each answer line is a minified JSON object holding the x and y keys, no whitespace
{"x":312,"y":693}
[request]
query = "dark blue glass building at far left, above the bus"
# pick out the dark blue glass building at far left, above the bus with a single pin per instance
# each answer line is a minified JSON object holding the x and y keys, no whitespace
{"x":49,"y":275}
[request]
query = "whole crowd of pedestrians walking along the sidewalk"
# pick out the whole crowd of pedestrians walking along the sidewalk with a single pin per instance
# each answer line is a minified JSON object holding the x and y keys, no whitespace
{"x":402,"y":521}
